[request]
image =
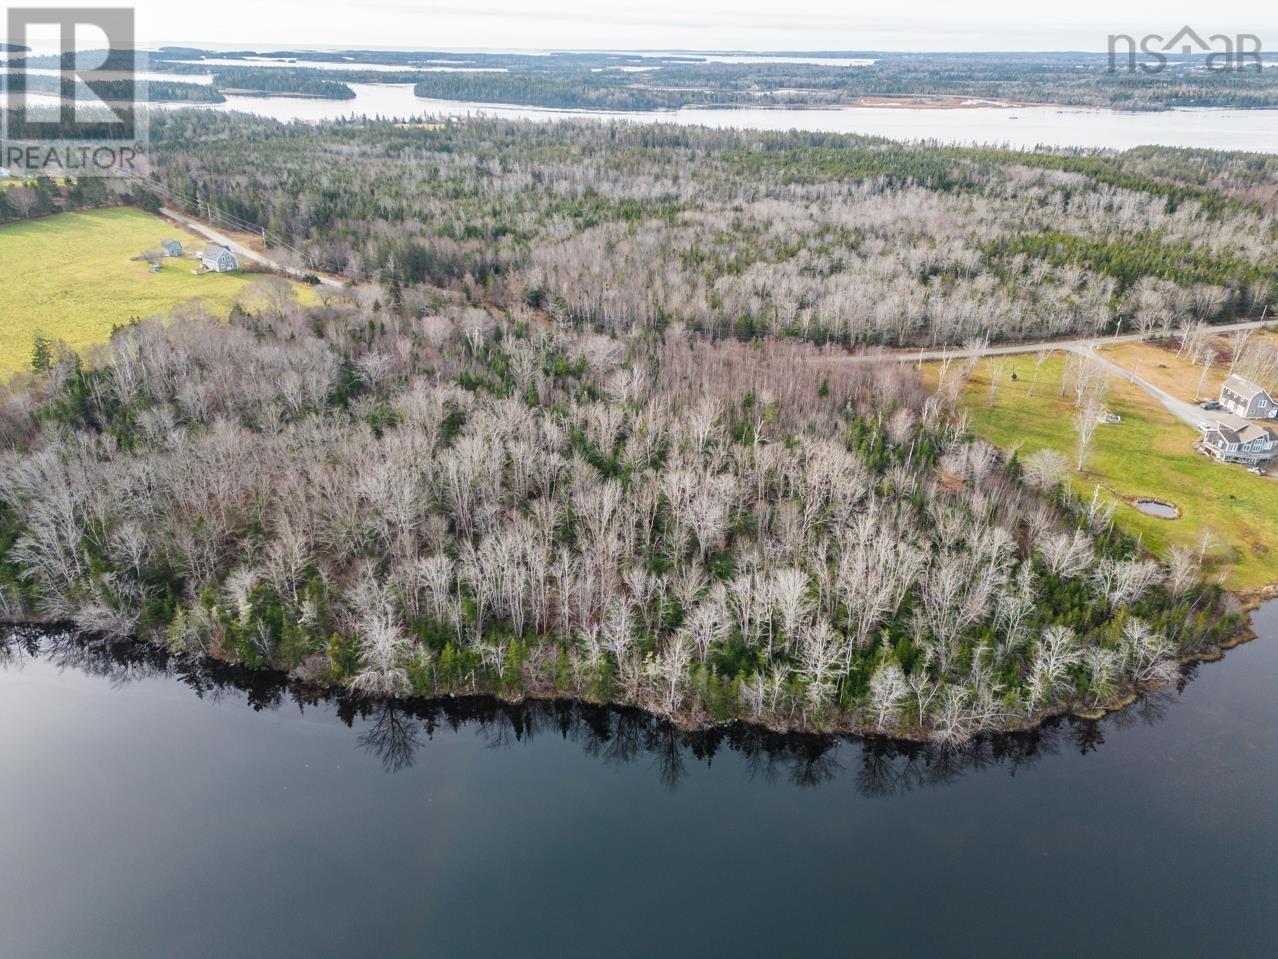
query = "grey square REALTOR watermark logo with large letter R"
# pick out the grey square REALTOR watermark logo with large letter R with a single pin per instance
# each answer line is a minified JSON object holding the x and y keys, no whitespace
{"x":82,"y":118}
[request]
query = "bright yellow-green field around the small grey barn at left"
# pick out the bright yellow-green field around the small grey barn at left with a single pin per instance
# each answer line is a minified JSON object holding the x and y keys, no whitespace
{"x":73,"y":277}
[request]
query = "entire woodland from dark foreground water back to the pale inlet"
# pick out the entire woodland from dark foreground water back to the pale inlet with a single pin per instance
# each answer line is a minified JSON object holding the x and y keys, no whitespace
{"x":582,"y":425}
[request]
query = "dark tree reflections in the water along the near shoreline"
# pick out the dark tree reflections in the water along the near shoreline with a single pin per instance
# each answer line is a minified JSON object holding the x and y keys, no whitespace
{"x":394,"y":732}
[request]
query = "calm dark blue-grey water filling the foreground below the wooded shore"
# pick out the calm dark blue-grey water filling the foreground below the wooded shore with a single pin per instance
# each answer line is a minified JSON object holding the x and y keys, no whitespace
{"x":151,"y":809}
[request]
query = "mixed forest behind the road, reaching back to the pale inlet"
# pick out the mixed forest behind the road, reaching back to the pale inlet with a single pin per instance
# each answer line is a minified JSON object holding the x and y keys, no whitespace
{"x":828,"y":238}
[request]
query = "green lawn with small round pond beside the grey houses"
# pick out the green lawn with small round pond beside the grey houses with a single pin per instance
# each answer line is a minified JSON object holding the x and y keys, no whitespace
{"x":1150,"y":455}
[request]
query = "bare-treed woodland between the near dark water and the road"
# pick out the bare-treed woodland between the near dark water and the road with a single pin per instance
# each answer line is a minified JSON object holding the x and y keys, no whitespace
{"x":424,"y":497}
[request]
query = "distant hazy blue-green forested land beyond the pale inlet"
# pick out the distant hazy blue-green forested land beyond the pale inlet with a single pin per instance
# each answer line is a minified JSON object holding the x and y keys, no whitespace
{"x":633,"y":82}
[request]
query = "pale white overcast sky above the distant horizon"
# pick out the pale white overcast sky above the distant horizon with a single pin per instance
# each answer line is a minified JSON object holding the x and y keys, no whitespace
{"x":687,"y":25}
